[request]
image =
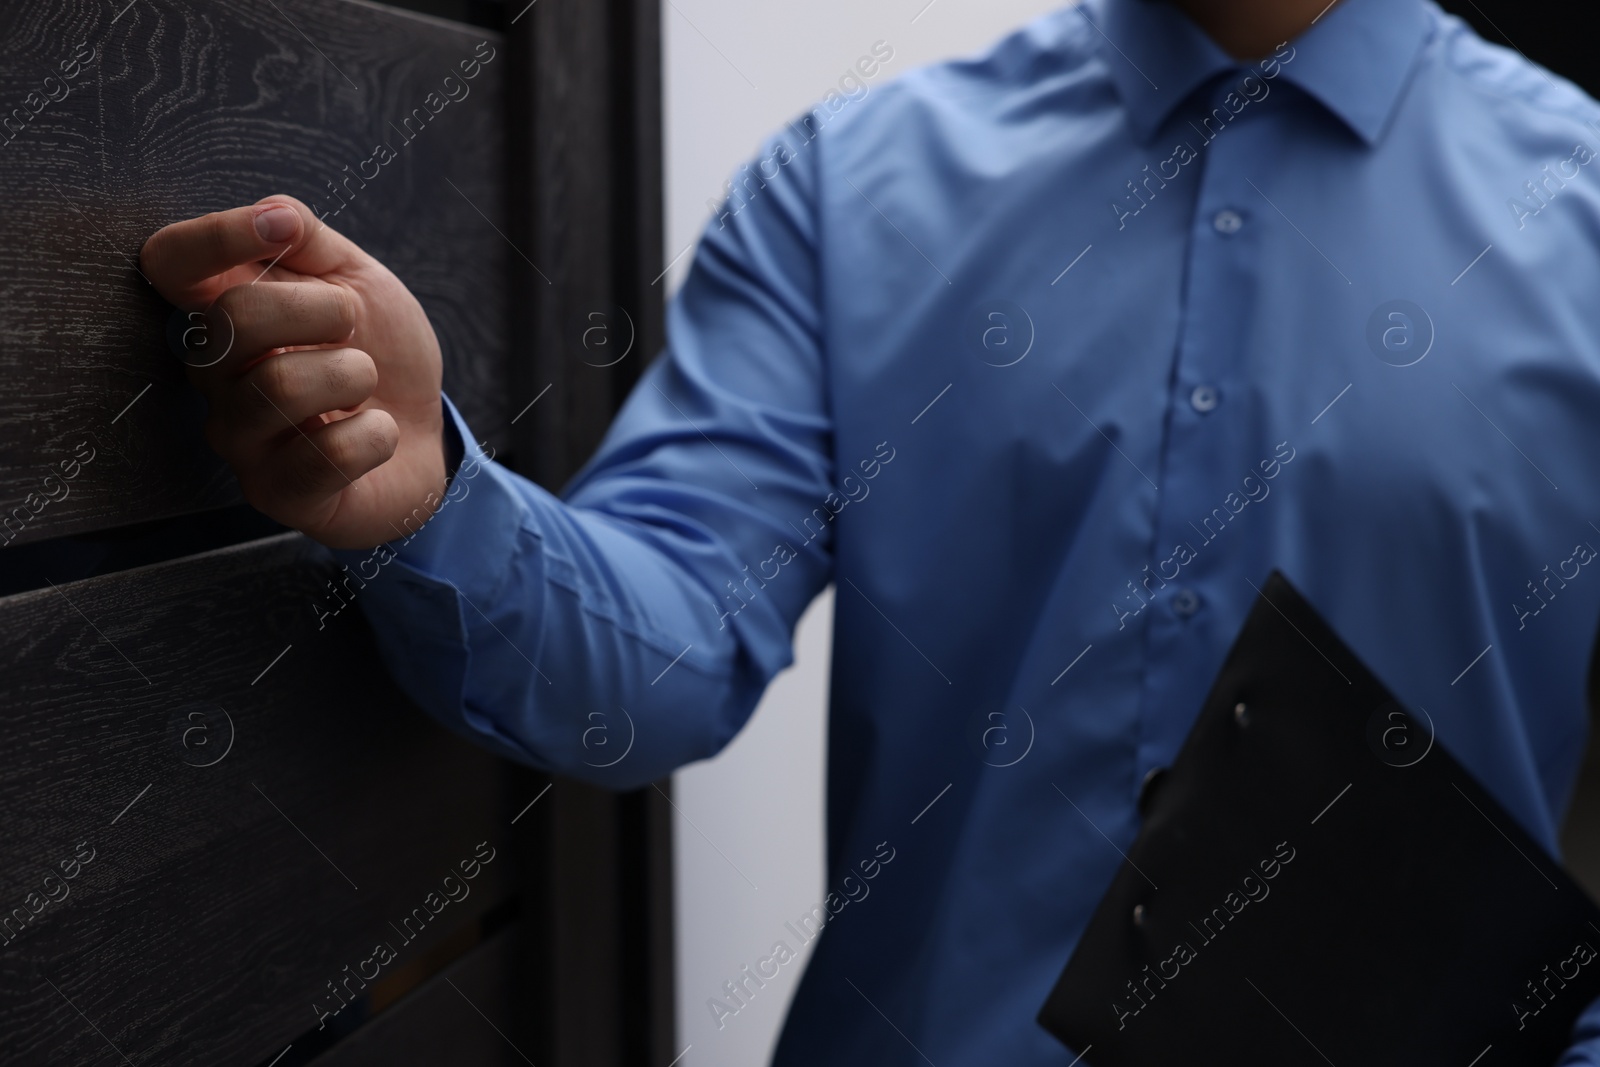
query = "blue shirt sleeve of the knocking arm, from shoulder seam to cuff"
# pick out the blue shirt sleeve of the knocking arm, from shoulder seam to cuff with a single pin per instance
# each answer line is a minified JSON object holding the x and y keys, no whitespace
{"x":633,"y":626}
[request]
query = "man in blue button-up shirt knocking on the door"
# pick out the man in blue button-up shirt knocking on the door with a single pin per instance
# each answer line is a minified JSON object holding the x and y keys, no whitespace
{"x":1047,"y":359}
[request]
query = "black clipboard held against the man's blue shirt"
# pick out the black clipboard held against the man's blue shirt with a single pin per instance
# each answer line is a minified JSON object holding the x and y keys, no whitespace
{"x":1319,"y":882}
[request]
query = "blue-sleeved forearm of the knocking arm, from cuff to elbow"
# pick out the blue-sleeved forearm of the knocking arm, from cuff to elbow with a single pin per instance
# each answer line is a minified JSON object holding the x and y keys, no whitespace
{"x":566,"y":637}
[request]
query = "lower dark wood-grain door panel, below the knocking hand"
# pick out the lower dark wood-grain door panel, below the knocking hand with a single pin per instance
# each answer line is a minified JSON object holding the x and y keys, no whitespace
{"x":222,"y":900}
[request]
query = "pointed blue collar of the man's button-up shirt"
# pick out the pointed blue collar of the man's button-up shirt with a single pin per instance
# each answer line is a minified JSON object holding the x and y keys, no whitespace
{"x":1356,"y":60}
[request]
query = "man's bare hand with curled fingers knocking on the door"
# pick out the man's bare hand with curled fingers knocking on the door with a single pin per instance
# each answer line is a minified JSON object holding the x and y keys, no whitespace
{"x":329,"y":401}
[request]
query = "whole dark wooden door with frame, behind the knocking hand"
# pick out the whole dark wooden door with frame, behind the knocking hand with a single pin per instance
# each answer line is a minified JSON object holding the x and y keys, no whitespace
{"x":228,"y":839}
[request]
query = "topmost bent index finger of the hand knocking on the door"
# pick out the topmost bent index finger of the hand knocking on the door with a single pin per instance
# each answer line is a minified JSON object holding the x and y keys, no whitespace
{"x":188,"y":262}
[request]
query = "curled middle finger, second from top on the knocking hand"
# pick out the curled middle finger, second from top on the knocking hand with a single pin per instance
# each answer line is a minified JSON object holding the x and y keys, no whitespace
{"x":249,"y":321}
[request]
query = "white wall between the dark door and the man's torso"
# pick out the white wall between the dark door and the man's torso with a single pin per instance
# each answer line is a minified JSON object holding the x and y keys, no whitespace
{"x":750,"y":834}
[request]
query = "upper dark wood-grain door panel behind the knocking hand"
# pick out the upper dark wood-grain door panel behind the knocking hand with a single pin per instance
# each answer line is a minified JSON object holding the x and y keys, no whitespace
{"x":180,"y":108}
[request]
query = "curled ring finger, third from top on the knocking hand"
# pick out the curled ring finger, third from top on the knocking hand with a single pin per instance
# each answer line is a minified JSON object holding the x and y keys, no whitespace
{"x":282,"y":393}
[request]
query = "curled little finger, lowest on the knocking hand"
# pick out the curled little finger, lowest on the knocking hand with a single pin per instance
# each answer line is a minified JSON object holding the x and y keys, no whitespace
{"x":300,"y":482}
